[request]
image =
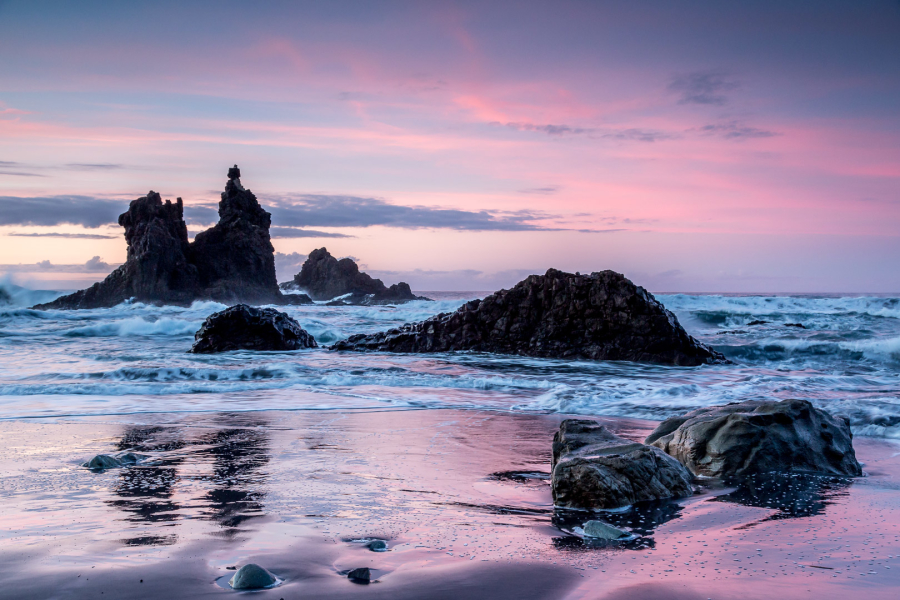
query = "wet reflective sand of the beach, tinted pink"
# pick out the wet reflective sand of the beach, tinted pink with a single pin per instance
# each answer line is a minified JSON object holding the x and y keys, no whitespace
{"x":461,"y":497}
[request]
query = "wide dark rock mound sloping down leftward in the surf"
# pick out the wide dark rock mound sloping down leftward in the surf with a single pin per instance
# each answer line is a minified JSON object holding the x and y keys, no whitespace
{"x":601,"y":316}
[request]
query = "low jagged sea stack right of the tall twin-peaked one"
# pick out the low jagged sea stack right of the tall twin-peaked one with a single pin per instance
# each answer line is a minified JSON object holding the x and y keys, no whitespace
{"x":324,"y":277}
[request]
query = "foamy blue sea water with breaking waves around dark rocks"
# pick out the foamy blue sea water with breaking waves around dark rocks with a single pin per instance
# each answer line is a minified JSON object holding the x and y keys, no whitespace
{"x":840,"y":352}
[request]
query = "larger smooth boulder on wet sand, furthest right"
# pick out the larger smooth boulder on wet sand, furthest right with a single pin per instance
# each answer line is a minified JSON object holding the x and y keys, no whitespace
{"x":758,"y":436}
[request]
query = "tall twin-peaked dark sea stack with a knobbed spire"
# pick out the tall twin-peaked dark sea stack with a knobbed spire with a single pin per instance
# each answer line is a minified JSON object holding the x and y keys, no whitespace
{"x":234,"y":261}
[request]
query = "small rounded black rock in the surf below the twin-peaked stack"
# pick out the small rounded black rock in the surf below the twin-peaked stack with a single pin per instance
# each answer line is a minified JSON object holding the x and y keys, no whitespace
{"x":243,"y":327}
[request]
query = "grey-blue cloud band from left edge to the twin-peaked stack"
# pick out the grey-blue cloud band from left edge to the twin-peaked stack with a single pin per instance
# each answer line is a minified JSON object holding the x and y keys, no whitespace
{"x":57,"y":210}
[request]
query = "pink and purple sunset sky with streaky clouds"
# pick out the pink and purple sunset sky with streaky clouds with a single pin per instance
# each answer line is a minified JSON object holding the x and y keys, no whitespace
{"x":693,"y":146}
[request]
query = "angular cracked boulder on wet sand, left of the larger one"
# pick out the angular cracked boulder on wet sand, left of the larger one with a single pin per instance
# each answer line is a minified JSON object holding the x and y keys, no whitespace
{"x":594,"y":468}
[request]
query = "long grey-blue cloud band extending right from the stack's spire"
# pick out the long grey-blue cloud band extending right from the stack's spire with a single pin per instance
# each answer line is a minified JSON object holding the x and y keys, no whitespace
{"x":319,"y":210}
